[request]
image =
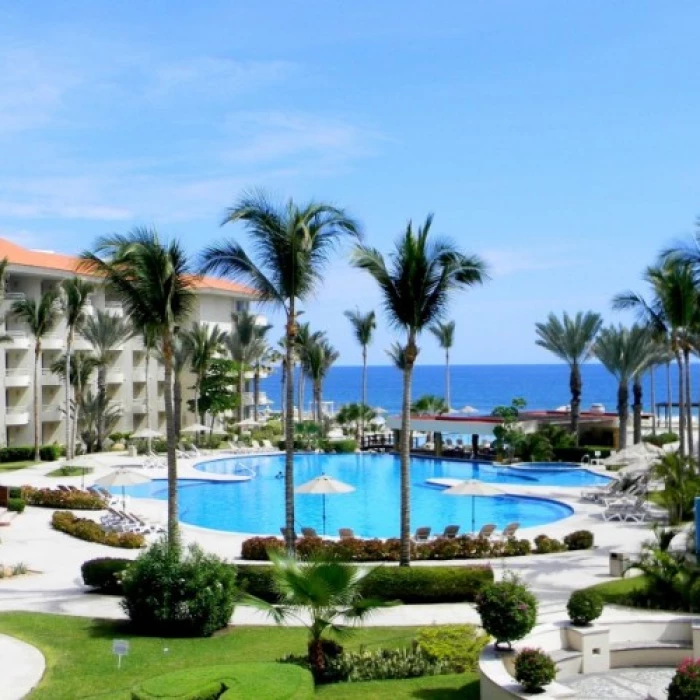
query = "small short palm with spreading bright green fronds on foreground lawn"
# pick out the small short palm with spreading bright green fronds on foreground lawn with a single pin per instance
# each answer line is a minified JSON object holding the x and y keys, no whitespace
{"x":323,"y":594}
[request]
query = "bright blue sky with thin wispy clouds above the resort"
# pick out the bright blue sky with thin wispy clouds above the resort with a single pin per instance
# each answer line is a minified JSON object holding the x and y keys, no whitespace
{"x":560,"y":141}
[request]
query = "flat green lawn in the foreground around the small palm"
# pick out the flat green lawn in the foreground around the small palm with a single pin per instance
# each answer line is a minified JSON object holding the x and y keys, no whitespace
{"x":80,"y":663}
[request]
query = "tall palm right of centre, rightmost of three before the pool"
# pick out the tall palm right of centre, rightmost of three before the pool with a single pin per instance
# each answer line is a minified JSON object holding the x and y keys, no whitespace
{"x":416,"y":286}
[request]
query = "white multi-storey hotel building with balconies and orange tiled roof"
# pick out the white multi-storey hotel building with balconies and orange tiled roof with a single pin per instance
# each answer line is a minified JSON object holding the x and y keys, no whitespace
{"x":31,"y":272}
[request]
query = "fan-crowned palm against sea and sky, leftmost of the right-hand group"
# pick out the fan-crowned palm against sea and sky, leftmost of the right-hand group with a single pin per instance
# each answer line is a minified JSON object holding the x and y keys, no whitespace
{"x":571,"y":340}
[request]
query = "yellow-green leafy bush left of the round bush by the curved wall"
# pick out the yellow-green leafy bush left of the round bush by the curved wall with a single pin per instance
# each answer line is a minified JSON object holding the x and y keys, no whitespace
{"x":457,"y":645}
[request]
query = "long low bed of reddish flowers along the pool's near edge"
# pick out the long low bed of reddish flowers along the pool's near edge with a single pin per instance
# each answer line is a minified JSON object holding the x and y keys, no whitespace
{"x":464,"y":547}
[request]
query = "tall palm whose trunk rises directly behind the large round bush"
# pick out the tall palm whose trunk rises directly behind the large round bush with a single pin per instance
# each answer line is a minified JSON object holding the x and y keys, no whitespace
{"x":152,"y":280}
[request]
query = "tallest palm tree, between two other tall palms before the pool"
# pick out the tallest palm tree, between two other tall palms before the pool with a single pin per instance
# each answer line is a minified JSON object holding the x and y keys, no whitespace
{"x":293,"y":245}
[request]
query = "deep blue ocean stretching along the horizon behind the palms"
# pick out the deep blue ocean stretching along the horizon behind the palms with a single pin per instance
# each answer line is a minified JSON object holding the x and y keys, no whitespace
{"x":479,"y":386}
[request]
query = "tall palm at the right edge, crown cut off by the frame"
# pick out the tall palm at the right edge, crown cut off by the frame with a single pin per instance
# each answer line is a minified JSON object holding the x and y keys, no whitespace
{"x":673,"y":313}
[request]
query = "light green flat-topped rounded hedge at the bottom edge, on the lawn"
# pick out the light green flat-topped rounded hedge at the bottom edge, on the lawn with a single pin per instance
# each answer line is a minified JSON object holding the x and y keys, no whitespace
{"x":264,"y":681}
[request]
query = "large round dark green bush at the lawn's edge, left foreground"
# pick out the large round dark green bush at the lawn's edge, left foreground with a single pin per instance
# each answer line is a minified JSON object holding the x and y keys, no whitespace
{"x":183,"y":595}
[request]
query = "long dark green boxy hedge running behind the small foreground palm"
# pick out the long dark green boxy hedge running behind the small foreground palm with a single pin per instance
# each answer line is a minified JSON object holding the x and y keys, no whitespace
{"x":410,"y":585}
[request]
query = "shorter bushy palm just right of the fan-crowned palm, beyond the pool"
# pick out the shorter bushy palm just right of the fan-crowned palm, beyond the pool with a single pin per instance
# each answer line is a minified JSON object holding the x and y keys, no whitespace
{"x":625,"y":354}
